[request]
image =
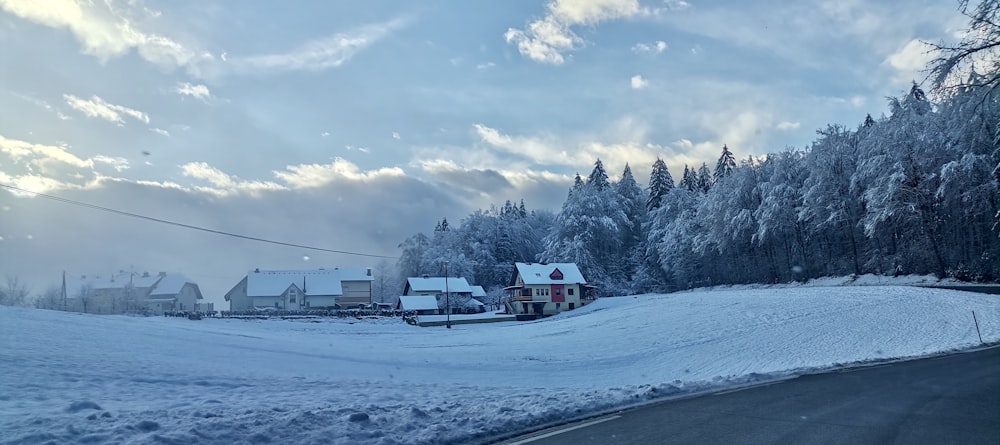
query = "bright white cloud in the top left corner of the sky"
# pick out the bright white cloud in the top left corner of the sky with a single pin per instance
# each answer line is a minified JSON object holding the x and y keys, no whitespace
{"x":103,"y":30}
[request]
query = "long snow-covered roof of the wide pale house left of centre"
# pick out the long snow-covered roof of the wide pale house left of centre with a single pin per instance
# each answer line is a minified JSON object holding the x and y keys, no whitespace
{"x":270,"y":283}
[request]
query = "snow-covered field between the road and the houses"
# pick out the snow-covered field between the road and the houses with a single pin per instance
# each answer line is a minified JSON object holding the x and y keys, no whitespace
{"x":74,"y":378}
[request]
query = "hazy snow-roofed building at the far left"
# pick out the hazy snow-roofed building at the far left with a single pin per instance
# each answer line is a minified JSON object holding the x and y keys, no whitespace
{"x":128,"y":292}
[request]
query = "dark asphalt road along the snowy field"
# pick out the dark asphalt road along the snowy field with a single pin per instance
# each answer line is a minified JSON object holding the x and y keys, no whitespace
{"x":945,"y":400}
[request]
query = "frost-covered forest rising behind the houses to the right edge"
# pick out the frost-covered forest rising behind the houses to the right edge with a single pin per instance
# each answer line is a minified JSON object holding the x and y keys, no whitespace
{"x":916,"y":191}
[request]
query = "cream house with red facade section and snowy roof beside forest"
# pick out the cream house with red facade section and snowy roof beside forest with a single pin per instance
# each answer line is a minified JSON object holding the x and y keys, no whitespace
{"x":546,"y":289}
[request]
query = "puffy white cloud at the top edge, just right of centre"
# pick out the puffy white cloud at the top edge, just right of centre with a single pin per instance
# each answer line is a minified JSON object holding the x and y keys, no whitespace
{"x":545,"y":40}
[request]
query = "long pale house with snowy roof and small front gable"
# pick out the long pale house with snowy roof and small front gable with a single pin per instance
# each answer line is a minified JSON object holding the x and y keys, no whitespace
{"x":302,"y":289}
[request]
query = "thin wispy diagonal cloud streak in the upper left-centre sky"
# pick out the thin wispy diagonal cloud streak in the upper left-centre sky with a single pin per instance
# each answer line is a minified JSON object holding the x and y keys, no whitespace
{"x":323,"y":53}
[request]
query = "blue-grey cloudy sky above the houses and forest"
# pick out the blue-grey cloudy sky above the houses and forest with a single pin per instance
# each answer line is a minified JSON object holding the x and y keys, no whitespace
{"x":351,"y":126}
